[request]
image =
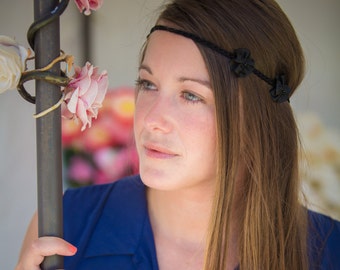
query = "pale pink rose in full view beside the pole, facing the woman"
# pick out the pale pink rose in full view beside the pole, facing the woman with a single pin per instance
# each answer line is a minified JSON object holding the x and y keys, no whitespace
{"x":85,"y":93}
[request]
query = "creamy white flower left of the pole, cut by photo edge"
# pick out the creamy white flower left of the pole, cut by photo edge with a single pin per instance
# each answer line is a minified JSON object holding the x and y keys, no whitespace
{"x":12,"y":63}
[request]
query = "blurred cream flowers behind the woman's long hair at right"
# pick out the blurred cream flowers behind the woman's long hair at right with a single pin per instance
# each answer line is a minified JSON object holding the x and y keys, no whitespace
{"x":320,"y":166}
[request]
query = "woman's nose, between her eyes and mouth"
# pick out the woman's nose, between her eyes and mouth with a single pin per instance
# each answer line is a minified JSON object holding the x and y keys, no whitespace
{"x":158,"y":117}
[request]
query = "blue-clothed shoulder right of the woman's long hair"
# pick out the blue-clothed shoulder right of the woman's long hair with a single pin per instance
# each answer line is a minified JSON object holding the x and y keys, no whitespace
{"x":324,"y":240}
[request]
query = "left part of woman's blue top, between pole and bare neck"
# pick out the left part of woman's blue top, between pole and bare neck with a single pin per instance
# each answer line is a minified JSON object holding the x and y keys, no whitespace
{"x":109,"y":225}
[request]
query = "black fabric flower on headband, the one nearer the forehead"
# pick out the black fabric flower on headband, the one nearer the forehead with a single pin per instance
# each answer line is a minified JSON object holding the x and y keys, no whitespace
{"x":241,"y":64}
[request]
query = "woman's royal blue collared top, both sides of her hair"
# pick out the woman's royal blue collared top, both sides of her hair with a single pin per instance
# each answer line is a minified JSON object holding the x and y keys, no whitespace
{"x":110,"y":226}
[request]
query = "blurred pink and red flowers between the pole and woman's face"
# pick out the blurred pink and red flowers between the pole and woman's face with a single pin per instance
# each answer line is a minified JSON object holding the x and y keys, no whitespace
{"x":106,"y":151}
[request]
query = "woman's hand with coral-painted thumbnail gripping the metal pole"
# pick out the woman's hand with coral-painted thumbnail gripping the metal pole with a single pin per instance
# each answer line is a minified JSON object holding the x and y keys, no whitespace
{"x":33,"y":256}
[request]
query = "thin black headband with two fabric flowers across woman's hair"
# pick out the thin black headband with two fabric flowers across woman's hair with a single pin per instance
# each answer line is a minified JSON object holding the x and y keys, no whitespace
{"x":241,"y":63}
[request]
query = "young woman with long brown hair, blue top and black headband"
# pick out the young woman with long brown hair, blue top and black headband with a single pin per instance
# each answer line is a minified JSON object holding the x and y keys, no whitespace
{"x":218,"y":147}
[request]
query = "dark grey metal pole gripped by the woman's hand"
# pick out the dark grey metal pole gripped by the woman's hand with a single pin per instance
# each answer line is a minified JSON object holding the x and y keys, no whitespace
{"x":48,"y":129}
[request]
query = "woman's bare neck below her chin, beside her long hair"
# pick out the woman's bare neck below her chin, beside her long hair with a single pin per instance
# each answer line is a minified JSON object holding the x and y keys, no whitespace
{"x":181,"y":215}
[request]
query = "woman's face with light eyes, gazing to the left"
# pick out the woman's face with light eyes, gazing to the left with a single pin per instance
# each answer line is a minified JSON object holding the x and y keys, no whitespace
{"x":175,"y":115}
